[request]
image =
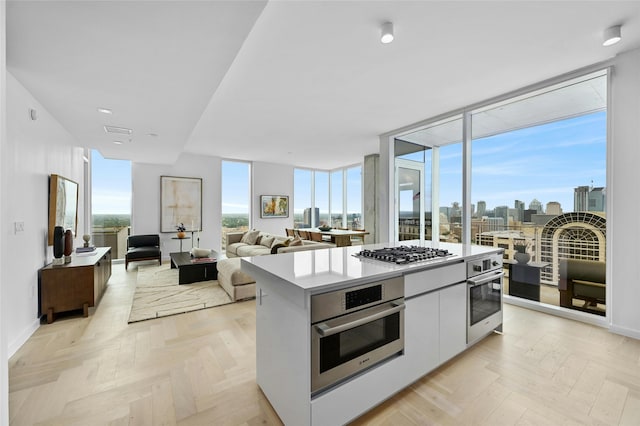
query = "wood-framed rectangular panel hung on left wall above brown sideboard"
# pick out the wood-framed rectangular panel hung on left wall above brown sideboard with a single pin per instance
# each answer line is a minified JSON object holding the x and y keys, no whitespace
{"x":63,"y":205}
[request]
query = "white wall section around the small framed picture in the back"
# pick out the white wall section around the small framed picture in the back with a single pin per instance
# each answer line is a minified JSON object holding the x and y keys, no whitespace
{"x":271,"y":179}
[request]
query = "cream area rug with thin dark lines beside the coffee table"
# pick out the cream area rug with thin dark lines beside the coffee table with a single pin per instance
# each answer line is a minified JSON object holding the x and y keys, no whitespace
{"x":159,"y":295}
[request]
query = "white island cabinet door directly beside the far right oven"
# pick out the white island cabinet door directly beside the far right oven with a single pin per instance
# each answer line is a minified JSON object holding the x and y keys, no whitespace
{"x":453,"y":321}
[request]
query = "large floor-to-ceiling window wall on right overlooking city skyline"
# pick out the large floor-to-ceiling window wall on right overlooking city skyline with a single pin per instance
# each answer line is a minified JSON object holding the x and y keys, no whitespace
{"x":536,"y":186}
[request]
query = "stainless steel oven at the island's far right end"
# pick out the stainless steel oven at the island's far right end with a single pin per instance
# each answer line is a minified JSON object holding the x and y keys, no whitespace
{"x":484,"y":296}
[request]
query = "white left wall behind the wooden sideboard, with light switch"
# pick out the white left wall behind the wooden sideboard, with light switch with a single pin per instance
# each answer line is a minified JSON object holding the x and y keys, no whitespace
{"x":34,"y":150}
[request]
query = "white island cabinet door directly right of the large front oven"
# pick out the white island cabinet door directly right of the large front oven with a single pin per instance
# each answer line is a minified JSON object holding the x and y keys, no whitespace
{"x":421,"y":334}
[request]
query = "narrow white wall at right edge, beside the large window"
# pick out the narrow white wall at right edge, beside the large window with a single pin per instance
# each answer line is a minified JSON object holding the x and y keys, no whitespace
{"x":625,"y":200}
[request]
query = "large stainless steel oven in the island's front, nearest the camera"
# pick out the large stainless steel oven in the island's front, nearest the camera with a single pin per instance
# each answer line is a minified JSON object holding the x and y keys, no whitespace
{"x":353,"y":329}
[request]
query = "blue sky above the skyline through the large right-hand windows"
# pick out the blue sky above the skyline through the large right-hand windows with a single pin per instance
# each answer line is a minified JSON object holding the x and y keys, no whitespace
{"x":545,"y":162}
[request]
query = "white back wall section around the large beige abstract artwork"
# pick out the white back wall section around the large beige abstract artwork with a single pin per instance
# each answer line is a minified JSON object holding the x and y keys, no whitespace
{"x":145,"y":214}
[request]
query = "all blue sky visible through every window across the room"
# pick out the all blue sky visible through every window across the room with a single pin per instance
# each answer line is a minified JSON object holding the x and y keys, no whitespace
{"x":545,"y":162}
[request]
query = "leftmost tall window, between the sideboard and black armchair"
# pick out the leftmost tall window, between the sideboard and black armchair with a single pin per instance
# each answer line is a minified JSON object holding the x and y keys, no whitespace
{"x":110,"y":203}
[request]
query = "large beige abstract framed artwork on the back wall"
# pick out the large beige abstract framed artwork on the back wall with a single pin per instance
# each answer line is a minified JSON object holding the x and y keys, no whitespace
{"x":180,"y":202}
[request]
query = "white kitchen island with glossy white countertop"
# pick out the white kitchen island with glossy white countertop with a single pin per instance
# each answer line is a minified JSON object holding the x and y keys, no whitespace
{"x":433,"y":324}
